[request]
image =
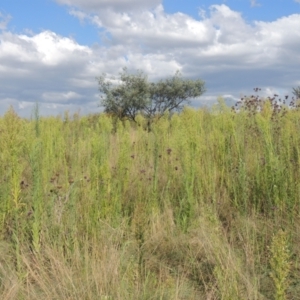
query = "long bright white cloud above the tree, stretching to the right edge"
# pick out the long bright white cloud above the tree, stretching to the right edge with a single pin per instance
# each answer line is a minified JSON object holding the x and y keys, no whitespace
{"x":212,"y":39}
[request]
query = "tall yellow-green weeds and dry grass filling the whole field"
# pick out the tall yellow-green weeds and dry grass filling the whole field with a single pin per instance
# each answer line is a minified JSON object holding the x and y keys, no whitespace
{"x":205,"y":206}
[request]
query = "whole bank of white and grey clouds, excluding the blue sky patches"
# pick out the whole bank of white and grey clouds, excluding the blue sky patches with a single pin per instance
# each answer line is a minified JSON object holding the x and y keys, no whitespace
{"x":60,"y":73}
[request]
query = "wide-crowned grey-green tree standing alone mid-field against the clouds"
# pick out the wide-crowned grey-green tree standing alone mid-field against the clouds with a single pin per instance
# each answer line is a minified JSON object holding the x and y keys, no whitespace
{"x":135,"y":94}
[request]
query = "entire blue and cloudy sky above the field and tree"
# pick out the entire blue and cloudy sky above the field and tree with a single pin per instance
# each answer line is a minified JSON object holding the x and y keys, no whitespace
{"x":51,"y":51}
